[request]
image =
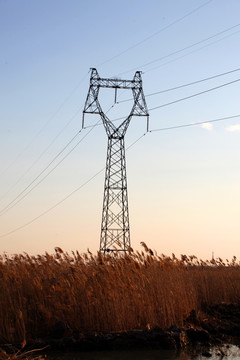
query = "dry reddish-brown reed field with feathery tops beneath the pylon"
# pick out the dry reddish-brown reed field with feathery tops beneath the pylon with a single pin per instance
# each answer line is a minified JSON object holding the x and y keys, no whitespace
{"x":93,"y":293}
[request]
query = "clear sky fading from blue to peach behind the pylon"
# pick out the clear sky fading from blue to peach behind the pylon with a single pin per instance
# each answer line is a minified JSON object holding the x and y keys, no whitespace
{"x":183,"y":184}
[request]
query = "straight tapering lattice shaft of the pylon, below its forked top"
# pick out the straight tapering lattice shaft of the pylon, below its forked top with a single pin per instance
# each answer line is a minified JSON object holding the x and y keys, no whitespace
{"x":115,"y":233}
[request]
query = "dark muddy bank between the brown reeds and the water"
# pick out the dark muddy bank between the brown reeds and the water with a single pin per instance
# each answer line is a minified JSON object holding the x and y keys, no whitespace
{"x":217,"y":325}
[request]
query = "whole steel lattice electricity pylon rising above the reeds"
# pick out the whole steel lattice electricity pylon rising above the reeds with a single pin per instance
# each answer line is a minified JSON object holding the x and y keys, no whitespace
{"x":115,"y":232}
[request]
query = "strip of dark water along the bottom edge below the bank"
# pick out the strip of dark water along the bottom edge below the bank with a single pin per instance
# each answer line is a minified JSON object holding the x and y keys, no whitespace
{"x":227,"y":353}
